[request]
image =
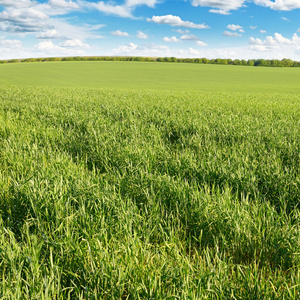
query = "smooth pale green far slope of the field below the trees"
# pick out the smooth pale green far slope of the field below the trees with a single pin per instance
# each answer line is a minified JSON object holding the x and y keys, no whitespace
{"x":158,"y":76}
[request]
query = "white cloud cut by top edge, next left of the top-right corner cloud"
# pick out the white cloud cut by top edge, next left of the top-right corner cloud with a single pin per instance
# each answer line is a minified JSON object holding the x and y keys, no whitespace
{"x":220,"y":6}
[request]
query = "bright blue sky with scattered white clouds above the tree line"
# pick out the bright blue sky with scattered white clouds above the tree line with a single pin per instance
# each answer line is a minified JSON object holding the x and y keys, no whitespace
{"x":182,"y":28}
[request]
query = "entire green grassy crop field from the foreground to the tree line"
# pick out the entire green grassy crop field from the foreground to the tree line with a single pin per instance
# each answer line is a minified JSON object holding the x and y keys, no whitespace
{"x":149,"y":181}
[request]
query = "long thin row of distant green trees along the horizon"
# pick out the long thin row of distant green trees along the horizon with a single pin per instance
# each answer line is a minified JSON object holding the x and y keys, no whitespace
{"x":218,"y":61}
